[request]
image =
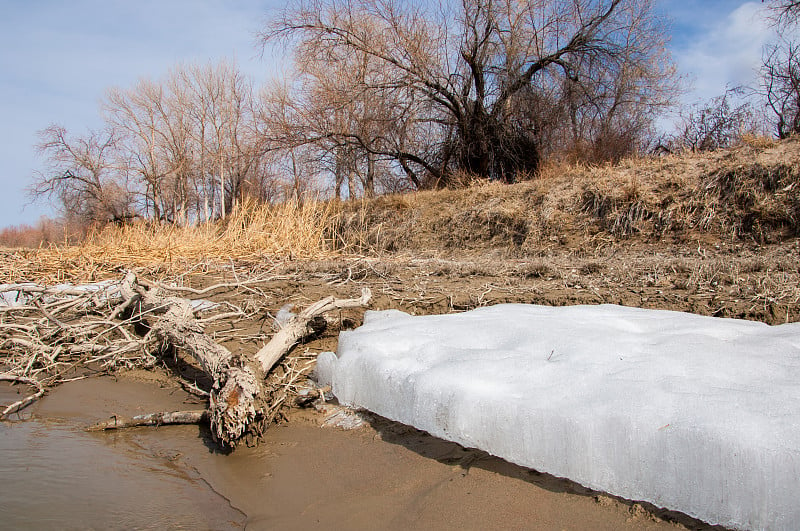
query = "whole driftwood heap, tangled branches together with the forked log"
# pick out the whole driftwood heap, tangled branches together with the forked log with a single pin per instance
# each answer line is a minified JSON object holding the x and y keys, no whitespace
{"x":51,"y":335}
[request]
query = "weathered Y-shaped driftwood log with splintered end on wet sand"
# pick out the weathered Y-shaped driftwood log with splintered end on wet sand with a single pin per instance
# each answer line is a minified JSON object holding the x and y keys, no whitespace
{"x":237,"y":398}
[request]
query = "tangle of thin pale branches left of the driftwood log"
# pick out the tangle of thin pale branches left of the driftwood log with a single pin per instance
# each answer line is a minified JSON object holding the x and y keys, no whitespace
{"x":51,"y":335}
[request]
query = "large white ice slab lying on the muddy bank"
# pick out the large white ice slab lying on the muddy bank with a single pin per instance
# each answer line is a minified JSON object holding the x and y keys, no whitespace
{"x":696,"y":414}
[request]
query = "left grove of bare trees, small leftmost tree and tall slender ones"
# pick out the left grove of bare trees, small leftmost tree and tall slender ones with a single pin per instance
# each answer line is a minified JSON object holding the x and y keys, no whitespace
{"x":182,"y":149}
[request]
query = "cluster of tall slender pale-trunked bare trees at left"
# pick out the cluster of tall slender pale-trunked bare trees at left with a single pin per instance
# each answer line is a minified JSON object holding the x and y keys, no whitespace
{"x":192,"y":139}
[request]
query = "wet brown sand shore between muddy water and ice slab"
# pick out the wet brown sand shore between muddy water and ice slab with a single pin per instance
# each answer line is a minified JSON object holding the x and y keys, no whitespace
{"x":303,"y":476}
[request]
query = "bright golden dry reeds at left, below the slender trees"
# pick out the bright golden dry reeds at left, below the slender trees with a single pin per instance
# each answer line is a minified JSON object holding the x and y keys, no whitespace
{"x":290,"y":230}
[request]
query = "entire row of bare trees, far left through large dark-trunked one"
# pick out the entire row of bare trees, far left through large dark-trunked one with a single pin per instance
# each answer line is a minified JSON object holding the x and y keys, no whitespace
{"x":387,"y":95}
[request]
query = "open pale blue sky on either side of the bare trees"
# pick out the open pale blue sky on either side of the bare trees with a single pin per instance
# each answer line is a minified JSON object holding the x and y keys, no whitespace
{"x":59,"y":58}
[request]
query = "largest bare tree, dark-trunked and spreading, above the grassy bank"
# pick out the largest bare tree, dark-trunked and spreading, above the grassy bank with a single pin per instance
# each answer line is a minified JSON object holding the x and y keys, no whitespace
{"x":464,"y":79}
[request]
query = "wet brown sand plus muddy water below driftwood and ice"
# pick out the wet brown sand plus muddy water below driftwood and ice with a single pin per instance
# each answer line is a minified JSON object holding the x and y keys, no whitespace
{"x":382,"y":475}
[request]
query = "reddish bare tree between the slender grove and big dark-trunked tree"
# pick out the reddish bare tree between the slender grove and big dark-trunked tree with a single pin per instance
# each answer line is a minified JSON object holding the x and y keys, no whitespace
{"x":328,"y":121}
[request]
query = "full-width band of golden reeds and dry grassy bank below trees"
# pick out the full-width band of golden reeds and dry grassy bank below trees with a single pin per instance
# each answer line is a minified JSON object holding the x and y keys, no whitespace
{"x":750,"y":193}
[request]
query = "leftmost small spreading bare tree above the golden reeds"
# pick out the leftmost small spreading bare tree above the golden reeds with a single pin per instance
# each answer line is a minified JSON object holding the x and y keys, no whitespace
{"x":81,"y":174}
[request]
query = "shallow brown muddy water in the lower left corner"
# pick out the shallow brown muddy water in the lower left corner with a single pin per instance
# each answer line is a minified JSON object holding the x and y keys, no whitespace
{"x":57,"y":476}
